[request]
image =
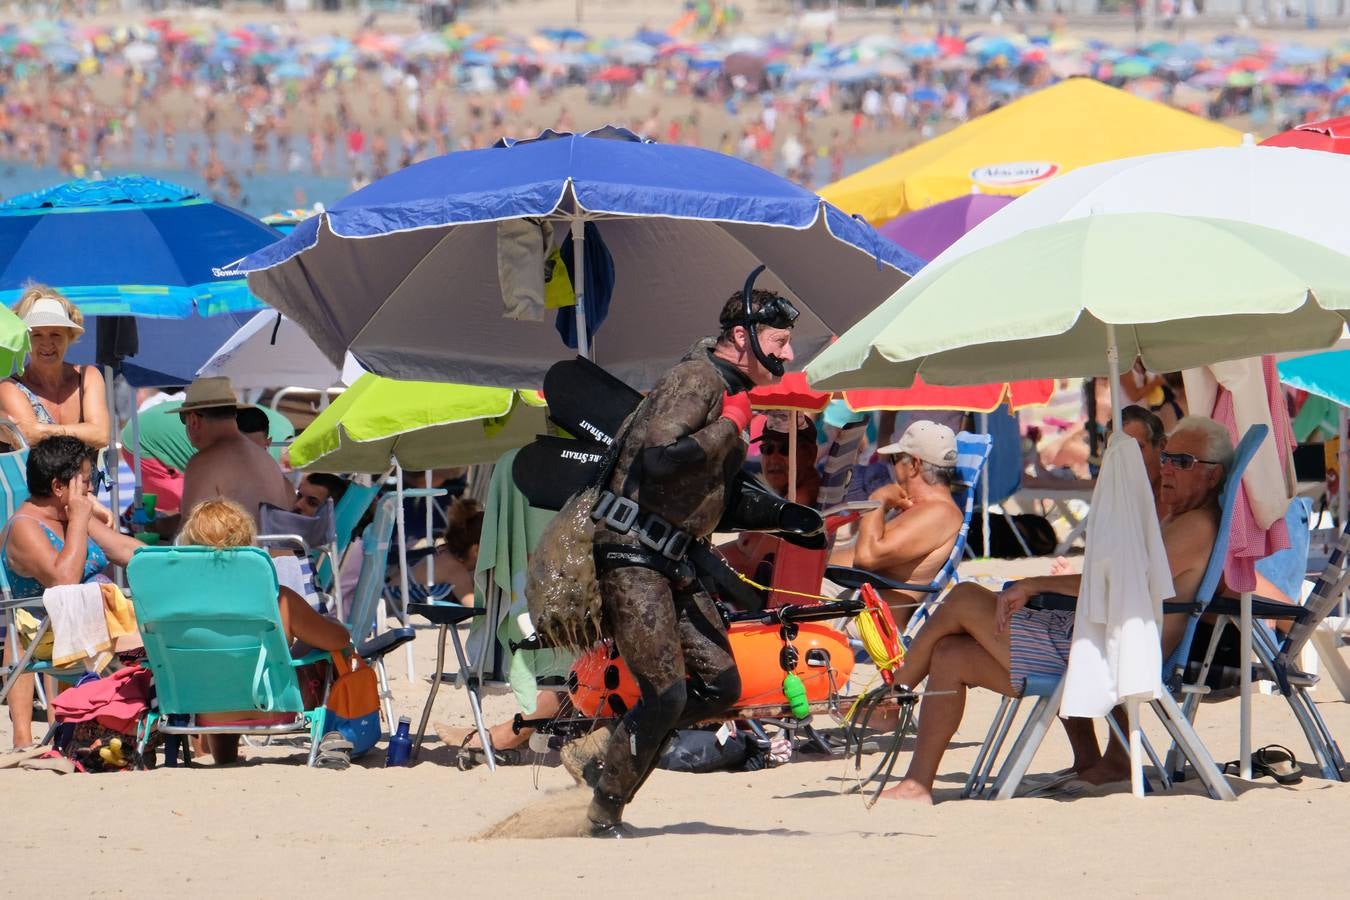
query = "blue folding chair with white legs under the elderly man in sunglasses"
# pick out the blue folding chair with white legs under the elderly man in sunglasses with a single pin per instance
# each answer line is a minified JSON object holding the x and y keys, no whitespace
{"x":1048,"y":692}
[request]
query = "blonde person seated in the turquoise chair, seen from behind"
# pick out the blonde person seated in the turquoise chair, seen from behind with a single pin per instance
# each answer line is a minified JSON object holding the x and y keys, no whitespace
{"x":223,"y":524}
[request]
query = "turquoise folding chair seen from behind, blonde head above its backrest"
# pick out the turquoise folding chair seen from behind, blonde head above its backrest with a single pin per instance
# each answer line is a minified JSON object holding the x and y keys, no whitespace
{"x":215,"y":643}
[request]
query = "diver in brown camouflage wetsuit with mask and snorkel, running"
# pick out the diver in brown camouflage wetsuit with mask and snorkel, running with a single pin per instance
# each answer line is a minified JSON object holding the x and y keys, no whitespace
{"x":670,"y":488}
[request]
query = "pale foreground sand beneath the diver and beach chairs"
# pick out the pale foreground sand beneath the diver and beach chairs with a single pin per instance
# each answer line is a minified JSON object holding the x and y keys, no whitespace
{"x":271,"y":826}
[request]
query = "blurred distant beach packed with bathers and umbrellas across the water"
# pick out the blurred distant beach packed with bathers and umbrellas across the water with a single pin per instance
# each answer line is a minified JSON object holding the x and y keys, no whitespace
{"x":269,"y":111}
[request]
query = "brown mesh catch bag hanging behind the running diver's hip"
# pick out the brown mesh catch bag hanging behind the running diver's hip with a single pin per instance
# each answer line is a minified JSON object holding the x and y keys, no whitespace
{"x":561,"y":585}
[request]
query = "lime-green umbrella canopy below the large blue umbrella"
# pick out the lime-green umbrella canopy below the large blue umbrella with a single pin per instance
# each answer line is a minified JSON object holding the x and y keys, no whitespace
{"x":419,"y":426}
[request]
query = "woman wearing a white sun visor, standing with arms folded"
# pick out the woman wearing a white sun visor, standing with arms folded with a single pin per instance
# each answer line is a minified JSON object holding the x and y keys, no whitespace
{"x":55,"y":397}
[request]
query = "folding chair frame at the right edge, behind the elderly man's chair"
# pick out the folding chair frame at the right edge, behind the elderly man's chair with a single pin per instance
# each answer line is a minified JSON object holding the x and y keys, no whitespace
{"x":1278,"y":658}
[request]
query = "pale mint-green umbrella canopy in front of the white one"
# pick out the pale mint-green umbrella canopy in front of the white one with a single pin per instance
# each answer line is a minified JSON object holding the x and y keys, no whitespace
{"x":1177,"y":291}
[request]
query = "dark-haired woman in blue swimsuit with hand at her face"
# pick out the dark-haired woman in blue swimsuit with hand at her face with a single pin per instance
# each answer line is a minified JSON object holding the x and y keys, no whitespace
{"x":55,"y":539}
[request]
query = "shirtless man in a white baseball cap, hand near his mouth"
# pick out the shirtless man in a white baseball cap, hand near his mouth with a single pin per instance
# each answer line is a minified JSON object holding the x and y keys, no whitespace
{"x":915,"y":546}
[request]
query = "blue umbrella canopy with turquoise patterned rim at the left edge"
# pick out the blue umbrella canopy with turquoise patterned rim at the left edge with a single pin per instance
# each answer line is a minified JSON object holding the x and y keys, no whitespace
{"x":128,"y":246}
